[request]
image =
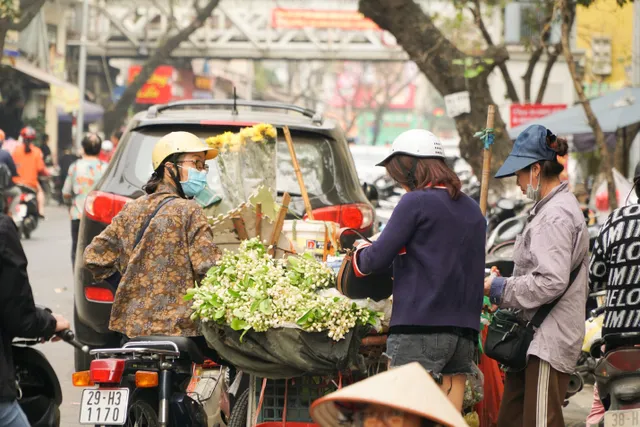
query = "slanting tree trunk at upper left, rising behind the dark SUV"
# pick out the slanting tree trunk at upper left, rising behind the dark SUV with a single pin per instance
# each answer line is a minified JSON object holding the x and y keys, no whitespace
{"x":115,"y":116}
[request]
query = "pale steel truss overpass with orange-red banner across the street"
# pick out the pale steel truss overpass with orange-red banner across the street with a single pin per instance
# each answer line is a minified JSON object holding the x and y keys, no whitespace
{"x":240,"y":29}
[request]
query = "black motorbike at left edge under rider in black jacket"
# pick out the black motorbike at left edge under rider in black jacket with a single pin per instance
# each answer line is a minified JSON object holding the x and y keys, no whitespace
{"x":39,"y":392}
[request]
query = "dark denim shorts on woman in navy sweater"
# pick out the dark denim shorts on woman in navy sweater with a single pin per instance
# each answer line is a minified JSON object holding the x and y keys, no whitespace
{"x":439,"y":353}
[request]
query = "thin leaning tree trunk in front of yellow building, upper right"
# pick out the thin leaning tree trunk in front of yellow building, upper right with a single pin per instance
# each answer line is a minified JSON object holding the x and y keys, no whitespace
{"x":568,"y":12}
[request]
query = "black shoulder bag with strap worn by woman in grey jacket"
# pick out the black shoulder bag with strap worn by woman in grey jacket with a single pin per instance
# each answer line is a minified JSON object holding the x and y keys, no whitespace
{"x":509,"y":337}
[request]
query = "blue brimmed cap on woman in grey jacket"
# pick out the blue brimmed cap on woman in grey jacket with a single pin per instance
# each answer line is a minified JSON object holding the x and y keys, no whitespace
{"x":530,"y":147}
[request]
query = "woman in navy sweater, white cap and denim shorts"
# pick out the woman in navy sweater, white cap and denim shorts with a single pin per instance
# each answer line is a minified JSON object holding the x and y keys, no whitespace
{"x":436,"y":242}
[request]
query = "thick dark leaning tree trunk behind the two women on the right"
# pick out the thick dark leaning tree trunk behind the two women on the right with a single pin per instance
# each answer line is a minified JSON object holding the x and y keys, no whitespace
{"x":433,"y":53}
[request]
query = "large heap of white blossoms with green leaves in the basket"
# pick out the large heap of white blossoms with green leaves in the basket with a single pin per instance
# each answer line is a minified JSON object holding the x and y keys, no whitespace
{"x":250,"y":290}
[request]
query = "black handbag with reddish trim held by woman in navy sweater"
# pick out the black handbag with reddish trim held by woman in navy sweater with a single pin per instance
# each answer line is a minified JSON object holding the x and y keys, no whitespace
{"x":377,"y":285}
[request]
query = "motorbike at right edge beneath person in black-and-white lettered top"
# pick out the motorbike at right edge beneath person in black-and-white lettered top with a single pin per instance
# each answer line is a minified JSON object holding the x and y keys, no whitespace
{"x":617,"y":376}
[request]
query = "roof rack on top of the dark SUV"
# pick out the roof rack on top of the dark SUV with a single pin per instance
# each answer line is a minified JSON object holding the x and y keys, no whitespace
{"x":154,"y":110}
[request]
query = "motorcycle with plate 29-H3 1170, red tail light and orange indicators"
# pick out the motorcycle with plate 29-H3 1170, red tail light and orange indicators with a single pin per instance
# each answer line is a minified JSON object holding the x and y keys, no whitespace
{"x":155,"y":381}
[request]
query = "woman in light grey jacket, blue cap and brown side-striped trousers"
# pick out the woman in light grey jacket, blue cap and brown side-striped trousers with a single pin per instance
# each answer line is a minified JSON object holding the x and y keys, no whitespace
{"x":554,"y":243}
